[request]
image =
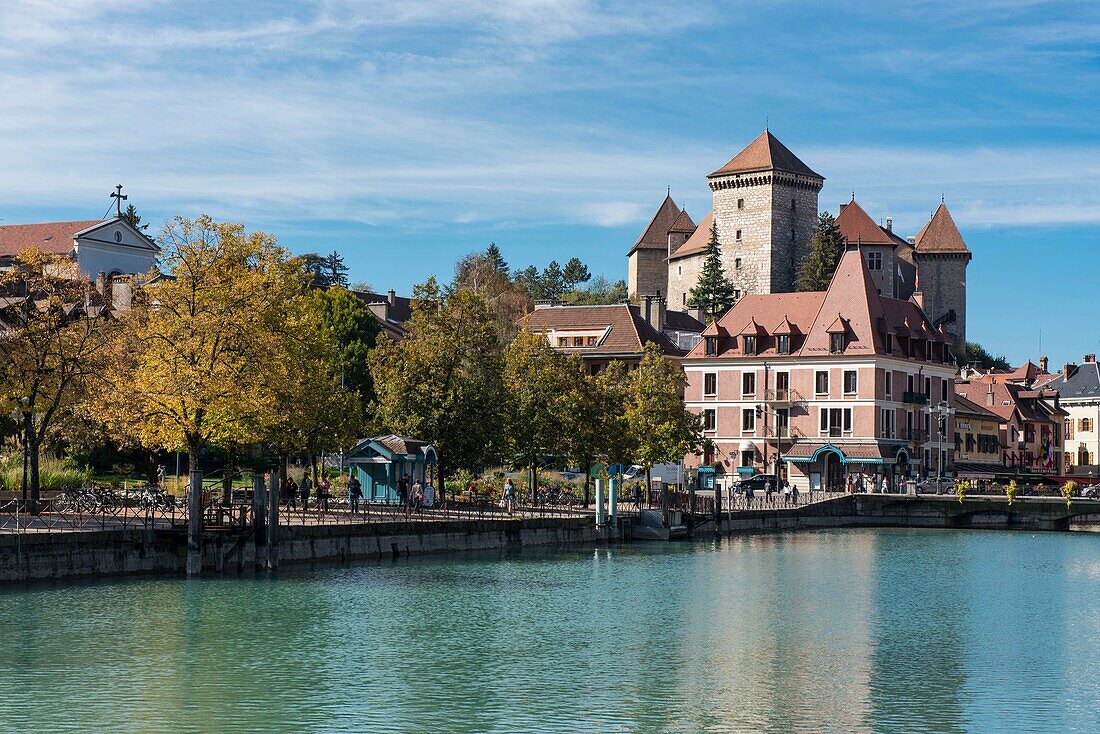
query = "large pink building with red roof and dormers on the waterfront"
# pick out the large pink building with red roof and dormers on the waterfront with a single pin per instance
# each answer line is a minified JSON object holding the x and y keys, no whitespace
{"x":824,"y":386}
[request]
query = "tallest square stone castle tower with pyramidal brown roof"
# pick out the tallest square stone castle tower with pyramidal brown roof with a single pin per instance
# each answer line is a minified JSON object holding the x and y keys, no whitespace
{"x":766,"y":211}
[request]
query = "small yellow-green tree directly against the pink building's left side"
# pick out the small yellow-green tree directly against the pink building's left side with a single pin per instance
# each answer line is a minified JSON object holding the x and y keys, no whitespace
{"x":663,"y":430}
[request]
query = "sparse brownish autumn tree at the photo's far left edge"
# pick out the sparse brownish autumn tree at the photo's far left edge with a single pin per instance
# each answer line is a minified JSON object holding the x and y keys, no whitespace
{"x":53,"y":334}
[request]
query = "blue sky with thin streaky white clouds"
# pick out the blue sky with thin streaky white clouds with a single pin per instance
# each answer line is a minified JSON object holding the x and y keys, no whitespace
{"x":406,"y":135}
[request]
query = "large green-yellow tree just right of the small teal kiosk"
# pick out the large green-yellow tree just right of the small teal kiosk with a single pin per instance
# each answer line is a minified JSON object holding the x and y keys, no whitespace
{"x":442,"y":384}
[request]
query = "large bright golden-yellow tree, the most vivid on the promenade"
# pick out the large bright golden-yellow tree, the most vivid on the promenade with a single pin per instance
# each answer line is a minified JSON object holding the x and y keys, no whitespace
{"x":194,"y":361}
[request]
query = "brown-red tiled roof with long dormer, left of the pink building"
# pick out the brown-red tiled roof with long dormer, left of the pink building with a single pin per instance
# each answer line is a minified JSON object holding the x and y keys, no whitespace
{"x":628,"y":333}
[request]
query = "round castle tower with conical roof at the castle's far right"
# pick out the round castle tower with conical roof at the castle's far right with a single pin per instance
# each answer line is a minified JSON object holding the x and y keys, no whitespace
{"x":941,"y":257}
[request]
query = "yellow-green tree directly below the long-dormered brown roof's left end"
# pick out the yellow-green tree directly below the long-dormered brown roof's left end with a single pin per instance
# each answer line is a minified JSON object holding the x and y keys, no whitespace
{"x":541,"y":387}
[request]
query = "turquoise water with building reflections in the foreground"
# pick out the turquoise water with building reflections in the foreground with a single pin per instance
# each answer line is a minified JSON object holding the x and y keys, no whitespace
{"x":863,"y":631}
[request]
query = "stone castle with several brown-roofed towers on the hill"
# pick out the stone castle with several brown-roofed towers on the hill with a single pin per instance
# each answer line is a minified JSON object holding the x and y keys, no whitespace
{"x":765,"y":210}
